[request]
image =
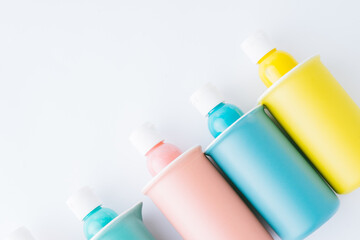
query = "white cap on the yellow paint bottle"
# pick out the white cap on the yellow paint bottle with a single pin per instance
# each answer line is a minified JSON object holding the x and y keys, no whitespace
{"x":256,"y":46}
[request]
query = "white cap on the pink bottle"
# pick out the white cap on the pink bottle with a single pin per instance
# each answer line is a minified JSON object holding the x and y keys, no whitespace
{"x":145,"y":138}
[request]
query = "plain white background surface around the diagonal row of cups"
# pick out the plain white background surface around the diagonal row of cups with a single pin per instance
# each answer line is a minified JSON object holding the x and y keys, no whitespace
{"x":77,"y":76}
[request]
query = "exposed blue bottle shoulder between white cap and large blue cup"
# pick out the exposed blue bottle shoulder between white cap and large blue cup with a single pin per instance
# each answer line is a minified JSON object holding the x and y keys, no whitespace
{"x":221,"y":117}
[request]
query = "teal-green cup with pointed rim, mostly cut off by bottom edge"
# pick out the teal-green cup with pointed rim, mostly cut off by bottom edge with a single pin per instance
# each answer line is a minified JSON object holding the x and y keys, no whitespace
{"x":128,"y":225}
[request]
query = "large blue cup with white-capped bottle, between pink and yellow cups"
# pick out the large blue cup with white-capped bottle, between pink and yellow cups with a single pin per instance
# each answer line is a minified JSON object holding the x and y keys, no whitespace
{"x":266,"y":167}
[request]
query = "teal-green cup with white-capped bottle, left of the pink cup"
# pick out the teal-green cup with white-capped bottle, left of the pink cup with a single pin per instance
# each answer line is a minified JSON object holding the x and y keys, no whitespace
{"x":105,"y":224}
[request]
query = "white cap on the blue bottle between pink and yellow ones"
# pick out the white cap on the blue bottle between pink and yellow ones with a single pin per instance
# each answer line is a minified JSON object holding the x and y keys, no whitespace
{"x":206,"y":98}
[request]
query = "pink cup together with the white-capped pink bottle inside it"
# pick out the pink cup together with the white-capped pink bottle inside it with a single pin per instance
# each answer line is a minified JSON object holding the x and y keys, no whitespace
{"x":192,"y":194}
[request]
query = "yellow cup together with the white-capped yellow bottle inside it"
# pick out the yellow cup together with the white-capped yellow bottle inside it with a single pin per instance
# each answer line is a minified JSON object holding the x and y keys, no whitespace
{"x":313,"y":108}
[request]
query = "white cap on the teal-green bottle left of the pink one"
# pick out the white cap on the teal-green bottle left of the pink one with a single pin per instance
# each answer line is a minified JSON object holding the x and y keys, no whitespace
{"x":83,"y":202}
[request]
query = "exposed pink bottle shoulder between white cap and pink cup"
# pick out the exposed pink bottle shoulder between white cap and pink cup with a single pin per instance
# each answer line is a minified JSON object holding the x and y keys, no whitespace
{"x":160,"y":156}
